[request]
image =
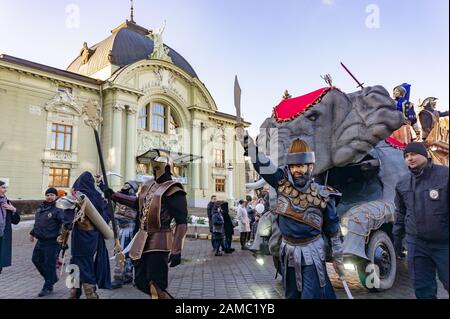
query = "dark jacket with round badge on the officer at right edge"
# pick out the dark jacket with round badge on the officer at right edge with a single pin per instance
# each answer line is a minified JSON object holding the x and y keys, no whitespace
{"x":422,"y":208}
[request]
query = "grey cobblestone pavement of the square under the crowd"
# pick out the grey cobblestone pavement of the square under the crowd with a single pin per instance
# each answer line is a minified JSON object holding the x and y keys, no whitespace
{"x":201,"y":275}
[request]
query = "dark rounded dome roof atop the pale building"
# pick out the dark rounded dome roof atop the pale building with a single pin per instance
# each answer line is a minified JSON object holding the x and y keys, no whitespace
{"x":127,"y":44}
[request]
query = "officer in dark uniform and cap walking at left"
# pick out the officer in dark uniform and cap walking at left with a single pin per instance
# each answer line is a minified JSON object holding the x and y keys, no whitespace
{"x":47,"y":225}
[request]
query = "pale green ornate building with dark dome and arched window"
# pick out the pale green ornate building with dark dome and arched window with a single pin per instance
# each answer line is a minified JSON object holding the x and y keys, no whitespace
{"x":148,"y":96}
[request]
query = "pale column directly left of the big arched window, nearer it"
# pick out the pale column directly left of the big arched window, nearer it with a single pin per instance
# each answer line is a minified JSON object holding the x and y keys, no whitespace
{"x":130,"y":155}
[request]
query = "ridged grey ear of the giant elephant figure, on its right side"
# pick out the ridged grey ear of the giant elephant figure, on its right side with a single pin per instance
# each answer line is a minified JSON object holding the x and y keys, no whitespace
{"x":372,"y":118}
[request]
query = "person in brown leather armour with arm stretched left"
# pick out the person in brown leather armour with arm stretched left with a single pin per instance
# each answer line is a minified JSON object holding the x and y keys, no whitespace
{"x":156,"y":246}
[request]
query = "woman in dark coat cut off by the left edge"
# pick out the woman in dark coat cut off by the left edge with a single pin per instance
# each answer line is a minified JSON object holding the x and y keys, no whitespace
{"x":8,"y":216}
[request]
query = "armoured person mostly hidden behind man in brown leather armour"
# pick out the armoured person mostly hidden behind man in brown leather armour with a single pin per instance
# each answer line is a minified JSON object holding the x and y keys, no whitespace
{"x":126,"y":220}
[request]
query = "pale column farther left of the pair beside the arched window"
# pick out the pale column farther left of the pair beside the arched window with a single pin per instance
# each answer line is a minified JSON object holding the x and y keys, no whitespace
{"x":116,"y":146}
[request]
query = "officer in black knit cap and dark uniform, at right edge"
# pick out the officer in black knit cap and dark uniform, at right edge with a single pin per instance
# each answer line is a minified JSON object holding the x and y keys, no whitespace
{"x":422,"y":211}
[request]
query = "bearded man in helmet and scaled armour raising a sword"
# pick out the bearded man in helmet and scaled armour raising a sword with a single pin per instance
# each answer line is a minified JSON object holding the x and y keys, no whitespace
{"x":305,"y":211}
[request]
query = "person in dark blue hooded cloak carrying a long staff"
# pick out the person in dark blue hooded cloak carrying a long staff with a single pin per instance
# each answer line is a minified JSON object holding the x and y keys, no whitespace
{"x":88,"y":246}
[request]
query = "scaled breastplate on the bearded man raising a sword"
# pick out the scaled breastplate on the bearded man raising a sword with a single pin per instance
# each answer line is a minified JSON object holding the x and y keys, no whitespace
{"x":304,"y":207}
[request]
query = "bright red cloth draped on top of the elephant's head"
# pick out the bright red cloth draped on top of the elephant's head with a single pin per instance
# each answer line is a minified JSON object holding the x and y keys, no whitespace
{"x":291,"y":108}
